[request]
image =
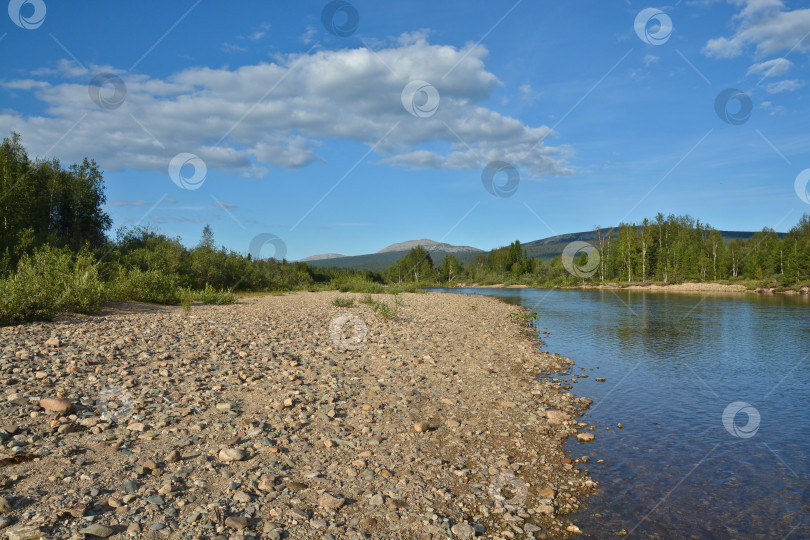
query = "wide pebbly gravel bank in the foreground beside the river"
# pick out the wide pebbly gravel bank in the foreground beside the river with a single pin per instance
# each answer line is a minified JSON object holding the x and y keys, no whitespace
{"x":287,"y":417}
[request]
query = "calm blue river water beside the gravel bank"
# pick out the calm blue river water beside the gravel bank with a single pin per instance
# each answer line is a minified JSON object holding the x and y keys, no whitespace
{"x":673,"y":363}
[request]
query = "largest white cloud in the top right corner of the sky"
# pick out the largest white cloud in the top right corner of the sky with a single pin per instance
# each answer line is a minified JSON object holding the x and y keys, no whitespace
{"x":766,"y":26}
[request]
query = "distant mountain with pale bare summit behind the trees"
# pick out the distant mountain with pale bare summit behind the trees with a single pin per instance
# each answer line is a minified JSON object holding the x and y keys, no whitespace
{"x":391,"y":254}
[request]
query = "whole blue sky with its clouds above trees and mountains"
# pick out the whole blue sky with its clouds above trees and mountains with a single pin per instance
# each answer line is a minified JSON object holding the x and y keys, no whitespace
{"x":348,"y":143}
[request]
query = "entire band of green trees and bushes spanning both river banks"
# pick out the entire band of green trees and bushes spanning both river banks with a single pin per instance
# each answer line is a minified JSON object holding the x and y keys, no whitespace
{"x":59,"y":255}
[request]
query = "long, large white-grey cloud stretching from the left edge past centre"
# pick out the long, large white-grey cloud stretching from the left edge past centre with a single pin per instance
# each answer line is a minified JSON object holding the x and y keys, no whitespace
{"x":277,"y":114}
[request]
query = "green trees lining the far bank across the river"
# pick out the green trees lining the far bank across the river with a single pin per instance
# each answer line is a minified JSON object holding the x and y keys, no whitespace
{"x":665,"y":249}
